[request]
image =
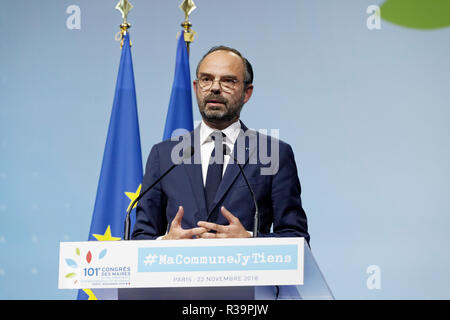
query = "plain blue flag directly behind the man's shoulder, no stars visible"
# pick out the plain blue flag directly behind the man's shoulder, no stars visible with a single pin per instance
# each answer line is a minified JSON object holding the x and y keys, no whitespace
{"x":179,"y":114}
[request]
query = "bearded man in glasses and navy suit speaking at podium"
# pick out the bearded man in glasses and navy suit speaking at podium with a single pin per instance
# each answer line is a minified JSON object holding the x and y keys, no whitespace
{"x":209,"y":198}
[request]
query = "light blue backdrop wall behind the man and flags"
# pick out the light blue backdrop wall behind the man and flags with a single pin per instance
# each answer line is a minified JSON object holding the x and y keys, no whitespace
{"x":366,"y":112}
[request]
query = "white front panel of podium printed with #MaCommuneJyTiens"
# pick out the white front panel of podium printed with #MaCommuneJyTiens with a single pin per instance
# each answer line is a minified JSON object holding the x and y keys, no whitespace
{"x":181,"y":263}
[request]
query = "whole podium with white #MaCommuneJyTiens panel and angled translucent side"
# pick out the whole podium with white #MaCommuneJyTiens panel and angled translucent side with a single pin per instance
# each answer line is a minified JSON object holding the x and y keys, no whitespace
{"x":203,"y":269}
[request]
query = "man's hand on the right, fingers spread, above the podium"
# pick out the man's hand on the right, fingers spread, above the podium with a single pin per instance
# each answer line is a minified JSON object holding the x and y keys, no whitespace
{"x":234,"y":230}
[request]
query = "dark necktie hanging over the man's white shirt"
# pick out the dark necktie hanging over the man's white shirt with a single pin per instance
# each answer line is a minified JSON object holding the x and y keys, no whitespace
{"x":215,"y":168}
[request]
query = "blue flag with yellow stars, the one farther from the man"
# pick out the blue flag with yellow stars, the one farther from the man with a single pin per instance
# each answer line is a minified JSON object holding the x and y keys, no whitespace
{"x":121,"y":172}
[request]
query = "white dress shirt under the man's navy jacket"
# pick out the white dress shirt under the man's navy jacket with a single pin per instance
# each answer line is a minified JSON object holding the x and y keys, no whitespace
{"x":207,"y":144}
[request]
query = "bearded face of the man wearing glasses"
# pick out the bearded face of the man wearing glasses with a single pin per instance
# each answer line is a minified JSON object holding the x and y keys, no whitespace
{"x":215,"y":104}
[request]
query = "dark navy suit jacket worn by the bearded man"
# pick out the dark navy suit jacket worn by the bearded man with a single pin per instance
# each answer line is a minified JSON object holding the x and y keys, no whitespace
{"x":277,"y":194}
